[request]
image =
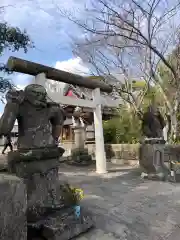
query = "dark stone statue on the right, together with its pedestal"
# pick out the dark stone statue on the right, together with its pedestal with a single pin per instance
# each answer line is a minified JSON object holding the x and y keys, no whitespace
{"x":151,"y":154}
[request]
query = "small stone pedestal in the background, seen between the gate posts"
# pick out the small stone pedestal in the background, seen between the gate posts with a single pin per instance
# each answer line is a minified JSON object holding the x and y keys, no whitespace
{"x":80,"y":155}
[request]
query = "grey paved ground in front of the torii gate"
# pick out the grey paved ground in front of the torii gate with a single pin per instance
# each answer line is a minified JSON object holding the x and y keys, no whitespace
{"x":125,"y":207}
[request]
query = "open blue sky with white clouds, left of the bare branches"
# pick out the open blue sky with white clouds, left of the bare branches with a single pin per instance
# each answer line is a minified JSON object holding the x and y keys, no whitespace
{"x":49,"y":32}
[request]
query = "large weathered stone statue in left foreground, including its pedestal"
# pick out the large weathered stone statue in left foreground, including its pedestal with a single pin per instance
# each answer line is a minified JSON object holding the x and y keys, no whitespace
{"x":50,"y":215}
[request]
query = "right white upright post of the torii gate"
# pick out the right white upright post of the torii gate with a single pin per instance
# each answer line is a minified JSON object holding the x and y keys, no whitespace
{"x":99,"y":137}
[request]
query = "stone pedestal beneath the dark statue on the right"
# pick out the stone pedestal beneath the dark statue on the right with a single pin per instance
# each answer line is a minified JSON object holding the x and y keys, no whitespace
{"x":152,"y":159}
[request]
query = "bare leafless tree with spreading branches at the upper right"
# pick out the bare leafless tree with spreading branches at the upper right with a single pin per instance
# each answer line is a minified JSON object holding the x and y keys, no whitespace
{"x":129,"y":40}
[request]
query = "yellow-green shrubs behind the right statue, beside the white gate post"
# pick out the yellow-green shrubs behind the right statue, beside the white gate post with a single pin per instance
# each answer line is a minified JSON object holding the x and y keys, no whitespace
{"x":126,"y":126}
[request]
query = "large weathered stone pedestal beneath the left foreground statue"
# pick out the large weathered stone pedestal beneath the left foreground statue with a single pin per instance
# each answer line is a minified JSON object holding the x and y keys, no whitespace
{"x":50,"y":207}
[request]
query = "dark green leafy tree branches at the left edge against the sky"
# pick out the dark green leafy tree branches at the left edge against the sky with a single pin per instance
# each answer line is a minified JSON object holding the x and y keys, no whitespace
{"x":12,"y":39}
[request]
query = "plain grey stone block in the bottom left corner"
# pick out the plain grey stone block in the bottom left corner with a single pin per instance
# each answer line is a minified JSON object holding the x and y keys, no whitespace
{"x":13,"y":204}
